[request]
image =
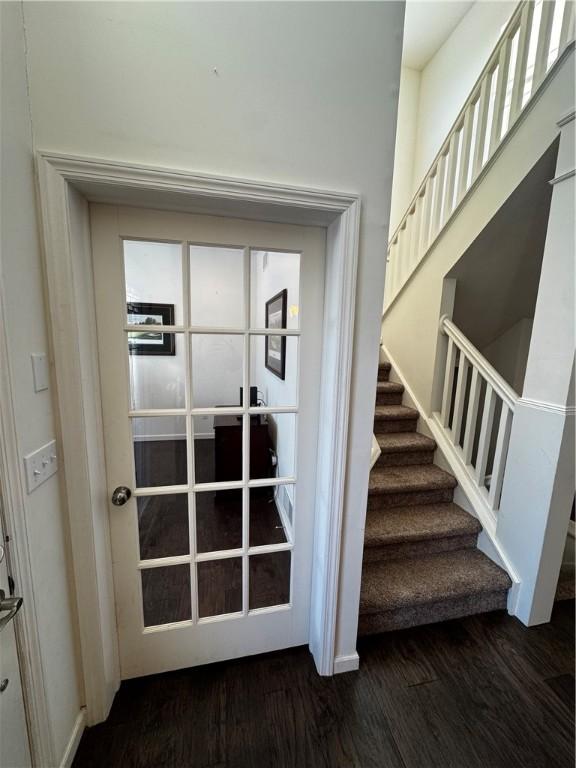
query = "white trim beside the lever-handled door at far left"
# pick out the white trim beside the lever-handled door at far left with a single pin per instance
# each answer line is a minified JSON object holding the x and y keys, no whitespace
{"x":26,"y":624}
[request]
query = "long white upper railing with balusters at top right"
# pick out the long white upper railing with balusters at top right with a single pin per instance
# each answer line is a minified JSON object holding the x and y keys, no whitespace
{"x":531,"y":42}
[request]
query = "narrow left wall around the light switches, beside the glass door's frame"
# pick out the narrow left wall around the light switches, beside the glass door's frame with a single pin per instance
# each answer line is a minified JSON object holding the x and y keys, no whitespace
{"x":22,"y":287}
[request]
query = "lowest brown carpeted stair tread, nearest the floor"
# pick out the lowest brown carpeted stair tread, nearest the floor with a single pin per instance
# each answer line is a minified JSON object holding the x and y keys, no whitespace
{"x":406,"y":583}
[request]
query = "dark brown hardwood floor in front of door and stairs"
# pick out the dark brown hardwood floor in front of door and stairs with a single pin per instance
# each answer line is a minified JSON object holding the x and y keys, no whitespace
{"x":481,"y":692}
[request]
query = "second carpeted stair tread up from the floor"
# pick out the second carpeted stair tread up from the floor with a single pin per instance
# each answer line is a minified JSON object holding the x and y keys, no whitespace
{"x":400,"y":525}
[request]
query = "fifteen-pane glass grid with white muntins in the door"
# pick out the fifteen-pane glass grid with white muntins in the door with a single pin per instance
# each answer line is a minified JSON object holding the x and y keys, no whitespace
{"x":212,"y":340}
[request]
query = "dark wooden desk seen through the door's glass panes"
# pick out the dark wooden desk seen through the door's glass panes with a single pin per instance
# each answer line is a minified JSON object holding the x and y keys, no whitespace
{"x":228,"y":448}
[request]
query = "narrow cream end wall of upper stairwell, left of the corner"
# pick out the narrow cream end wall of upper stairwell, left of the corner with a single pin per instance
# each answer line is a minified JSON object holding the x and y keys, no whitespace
{"x":403,"y":186}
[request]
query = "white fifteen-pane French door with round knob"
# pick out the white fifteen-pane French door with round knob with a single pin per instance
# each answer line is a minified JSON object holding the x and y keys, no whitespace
{"x":210,"y":344}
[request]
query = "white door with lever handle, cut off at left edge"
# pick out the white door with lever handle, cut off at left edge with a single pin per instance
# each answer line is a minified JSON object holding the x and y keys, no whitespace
{"x":14,"y":748}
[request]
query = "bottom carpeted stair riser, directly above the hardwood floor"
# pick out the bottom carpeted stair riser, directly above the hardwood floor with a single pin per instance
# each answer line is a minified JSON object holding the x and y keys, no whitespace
{"x":413,"y":616}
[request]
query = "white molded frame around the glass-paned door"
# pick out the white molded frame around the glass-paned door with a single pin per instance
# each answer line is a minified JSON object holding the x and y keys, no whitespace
{"x":66,"y":183}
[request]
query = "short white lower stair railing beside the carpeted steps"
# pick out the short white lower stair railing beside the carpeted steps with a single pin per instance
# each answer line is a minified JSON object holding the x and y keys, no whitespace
{"x":476,"y":414}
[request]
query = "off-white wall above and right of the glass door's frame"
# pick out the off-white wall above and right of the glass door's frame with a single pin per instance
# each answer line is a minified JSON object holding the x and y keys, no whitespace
{"x":299,"y":93}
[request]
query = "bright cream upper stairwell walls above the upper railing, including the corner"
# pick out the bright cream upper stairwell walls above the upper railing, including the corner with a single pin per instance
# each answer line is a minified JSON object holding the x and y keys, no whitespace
{"x":431,"y":99}
